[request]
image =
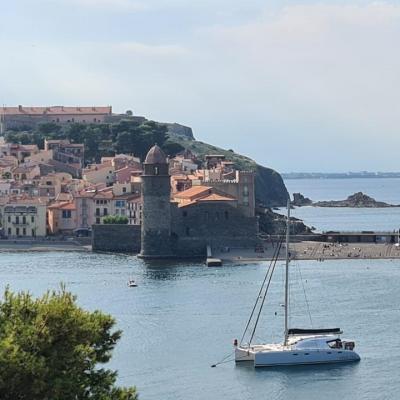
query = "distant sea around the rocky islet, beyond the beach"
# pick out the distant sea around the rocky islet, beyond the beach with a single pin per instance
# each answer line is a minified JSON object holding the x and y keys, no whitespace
{"x":324,"y":219}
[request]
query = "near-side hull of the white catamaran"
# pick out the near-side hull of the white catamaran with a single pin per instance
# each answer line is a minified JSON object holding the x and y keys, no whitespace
{"x":303,"y":357}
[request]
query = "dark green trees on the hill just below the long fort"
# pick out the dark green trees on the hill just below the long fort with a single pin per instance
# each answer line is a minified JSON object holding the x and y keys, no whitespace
{"x":125,"y":136}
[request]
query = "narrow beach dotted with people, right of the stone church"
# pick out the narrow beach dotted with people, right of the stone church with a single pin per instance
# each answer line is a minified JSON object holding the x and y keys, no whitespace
{"x":320,"y":251}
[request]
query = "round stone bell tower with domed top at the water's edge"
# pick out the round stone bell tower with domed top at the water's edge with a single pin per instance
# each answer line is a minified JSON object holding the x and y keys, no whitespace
{"x":156,"y":213}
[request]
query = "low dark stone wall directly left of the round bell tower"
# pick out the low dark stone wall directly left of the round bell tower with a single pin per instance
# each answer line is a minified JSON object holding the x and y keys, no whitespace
{"x":116,"y":238}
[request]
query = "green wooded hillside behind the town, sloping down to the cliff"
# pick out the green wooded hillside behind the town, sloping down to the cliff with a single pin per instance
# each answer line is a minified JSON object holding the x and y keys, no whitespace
{"x":136,"y":137}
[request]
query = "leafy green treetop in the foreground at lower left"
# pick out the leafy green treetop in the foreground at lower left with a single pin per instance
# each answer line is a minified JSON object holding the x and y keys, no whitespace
{"x":50,"y":349}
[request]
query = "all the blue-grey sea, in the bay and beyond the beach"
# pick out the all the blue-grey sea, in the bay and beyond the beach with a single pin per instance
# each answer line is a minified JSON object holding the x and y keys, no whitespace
{"x":183,"y":317}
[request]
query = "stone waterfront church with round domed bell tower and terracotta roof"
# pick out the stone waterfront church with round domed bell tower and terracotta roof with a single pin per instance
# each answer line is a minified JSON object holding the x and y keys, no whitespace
{"x":201,"y":217}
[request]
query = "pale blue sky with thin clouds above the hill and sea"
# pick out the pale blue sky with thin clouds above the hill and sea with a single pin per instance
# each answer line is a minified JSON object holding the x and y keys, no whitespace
{"x":296,"y":85}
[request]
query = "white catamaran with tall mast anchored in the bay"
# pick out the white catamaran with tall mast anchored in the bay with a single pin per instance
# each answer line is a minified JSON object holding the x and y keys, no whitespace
{"x":300,"y":346}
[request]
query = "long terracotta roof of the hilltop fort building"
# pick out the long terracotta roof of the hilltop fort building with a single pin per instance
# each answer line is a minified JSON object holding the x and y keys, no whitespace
{"x":55,"y":110}
